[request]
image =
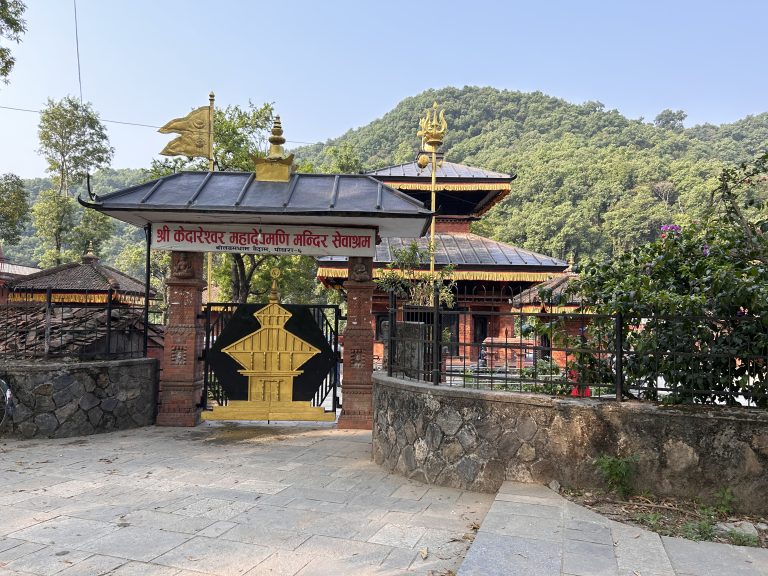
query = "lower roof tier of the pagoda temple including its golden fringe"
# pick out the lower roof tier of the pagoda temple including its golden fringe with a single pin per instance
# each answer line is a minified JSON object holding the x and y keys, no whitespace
{"x":474,"y":257}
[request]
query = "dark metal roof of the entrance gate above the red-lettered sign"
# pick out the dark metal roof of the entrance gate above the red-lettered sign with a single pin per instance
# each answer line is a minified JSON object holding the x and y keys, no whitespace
{"x":237,"y":197}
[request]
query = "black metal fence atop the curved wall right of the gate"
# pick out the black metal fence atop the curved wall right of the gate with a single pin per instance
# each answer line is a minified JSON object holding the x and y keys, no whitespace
{"x":561,"y":350}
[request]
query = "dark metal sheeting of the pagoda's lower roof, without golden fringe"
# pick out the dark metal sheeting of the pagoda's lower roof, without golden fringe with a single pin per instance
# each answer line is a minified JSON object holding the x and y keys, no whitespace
{"x":467,"y":251}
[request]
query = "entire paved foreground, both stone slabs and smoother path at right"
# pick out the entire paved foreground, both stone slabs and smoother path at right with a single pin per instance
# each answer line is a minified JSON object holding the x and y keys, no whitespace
{"x":301,"y":500}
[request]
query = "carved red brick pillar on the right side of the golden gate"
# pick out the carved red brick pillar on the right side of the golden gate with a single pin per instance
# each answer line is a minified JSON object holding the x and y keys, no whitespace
{"x":357,"y":382}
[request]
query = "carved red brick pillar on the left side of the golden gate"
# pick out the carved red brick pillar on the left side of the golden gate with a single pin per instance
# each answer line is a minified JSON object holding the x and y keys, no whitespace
{"x":181,"y":382}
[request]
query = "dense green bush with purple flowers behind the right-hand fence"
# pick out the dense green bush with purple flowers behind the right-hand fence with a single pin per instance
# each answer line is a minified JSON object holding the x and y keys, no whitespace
{"x":700,"y":289}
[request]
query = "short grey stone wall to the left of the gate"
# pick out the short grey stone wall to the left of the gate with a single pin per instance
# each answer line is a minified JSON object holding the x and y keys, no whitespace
{"x":58,"y":400}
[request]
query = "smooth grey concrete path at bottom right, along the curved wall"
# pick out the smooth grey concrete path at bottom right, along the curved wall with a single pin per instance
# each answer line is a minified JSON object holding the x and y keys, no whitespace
{"x":532,"y":531}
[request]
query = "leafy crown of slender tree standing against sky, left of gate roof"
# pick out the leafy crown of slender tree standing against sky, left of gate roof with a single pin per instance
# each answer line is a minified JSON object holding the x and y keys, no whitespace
{"x":73,"y":141}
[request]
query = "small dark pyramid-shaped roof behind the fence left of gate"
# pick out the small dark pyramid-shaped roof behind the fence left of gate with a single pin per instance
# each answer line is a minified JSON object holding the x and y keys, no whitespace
{"x":89,"y":276}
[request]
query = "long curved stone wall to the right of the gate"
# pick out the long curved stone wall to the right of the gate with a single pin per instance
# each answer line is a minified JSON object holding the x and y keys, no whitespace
{"x":474,"y":439}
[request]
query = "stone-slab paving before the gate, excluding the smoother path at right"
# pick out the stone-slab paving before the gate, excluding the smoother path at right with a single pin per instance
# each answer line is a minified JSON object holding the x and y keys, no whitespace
{"x":225,"y":500}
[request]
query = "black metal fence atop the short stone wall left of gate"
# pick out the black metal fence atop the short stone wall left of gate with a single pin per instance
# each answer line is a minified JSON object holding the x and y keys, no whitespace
{"x":76,"y":325}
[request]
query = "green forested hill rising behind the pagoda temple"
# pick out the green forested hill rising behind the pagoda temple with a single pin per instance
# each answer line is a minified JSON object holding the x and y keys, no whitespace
{"x":590,"y":181}
